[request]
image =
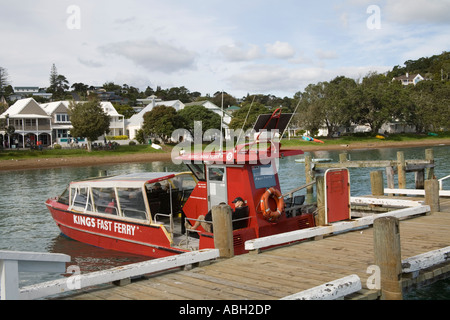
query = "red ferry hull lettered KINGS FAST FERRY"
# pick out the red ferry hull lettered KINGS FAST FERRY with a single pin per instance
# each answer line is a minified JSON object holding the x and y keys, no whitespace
{"x":134,"y":238}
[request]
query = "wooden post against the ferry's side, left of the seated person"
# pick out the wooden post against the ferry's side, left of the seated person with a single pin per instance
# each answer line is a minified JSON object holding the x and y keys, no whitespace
{"x":223,"y":230}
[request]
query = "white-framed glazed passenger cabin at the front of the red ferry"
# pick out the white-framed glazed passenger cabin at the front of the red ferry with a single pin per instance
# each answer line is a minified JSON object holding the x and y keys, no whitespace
{"x":140,"y":197}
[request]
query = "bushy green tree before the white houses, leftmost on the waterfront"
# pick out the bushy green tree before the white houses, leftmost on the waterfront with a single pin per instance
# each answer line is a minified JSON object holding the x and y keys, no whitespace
{"x":88,"y":120}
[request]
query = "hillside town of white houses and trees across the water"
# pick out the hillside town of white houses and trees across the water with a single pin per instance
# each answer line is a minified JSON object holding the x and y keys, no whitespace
{"x":414,"y":98}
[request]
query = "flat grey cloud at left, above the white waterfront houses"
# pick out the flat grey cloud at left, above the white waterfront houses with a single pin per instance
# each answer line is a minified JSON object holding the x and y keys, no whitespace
{"x":153,"y":55}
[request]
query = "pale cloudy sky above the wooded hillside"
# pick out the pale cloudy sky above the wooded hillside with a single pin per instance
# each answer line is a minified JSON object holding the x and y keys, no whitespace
{"x":240,"y":47}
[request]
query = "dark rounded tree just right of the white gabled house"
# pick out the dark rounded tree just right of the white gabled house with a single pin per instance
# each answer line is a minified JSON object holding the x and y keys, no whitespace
{"x":162,"y":121}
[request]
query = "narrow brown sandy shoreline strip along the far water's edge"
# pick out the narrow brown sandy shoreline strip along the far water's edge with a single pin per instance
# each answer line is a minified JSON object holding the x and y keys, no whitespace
{"x":41,"y":163}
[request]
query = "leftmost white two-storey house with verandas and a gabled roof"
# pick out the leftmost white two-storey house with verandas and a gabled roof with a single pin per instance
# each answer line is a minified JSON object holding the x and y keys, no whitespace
{"x":31,"y":122}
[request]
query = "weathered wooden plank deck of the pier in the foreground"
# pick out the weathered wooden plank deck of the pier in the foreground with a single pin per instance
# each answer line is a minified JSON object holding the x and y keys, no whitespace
{"x":278,"y":273}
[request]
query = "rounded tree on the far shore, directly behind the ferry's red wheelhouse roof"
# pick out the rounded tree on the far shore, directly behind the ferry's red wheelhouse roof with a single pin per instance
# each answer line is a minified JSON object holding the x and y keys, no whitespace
{"x":209,"y":119}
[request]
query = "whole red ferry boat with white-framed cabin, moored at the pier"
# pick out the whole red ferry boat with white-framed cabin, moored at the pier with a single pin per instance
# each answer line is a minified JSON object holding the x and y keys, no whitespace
{"x":152,"y":214}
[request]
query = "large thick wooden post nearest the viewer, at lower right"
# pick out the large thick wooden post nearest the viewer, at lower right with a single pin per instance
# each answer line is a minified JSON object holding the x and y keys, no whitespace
{"x":386,"y":236}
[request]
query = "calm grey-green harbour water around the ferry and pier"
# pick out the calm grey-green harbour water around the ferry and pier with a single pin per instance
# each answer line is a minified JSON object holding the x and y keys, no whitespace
{"x":26,"y":224}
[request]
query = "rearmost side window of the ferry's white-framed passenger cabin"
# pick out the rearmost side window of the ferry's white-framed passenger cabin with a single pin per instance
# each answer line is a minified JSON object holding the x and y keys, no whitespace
{"x":132,"y":203}
